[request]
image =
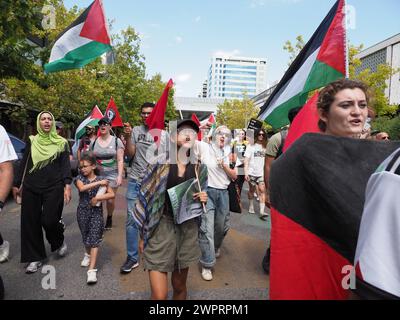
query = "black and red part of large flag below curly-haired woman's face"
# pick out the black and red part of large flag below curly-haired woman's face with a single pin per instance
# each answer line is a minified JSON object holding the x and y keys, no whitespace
{"x":317,"y":196}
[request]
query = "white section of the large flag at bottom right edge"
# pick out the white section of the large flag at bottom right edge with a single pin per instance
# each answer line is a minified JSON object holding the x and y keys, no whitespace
{"x":377,"y":258}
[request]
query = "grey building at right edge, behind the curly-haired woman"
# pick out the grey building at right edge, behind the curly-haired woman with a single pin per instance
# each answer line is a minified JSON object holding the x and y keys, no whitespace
{"x":387,"y":51}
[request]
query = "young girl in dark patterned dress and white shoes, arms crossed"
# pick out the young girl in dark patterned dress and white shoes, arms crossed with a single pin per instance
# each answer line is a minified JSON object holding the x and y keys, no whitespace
{"x":89,"y":215}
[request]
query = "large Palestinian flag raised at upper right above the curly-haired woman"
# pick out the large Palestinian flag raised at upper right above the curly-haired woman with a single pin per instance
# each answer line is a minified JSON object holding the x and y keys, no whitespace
{"x":321,"y":61}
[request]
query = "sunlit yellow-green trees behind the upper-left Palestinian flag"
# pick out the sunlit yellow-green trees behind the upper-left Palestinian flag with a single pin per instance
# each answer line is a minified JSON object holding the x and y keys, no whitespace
{"x":69,"y":95}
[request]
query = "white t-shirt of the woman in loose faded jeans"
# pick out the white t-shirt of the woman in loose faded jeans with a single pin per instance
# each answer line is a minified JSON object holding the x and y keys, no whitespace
{"x":208,"y":154}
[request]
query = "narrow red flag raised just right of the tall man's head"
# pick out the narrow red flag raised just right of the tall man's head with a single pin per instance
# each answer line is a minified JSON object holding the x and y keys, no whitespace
{"x":156,"y":119}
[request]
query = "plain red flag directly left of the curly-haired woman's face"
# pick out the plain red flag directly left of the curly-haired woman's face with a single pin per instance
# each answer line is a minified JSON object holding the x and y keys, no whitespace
{"x":305,"y":121}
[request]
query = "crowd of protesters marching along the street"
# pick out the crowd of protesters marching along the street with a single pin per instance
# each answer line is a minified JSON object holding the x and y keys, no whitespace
{"x":152,"y":231}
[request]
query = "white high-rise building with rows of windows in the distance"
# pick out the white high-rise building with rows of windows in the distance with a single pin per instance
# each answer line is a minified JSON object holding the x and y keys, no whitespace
{"x":232,"y":77}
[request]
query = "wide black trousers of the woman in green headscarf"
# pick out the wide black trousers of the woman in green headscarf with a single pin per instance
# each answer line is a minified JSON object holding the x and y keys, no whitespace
{"x":41,"y":210}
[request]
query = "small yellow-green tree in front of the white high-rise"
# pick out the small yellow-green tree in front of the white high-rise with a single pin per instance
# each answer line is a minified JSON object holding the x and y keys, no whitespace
{"x":236,"y":114}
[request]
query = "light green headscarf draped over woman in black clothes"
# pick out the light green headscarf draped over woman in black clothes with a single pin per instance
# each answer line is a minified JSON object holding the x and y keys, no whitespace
{"x":45,"y":147}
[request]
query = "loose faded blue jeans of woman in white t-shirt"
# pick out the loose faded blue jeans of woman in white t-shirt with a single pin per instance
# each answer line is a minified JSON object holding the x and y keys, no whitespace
{"x":214,"y":225}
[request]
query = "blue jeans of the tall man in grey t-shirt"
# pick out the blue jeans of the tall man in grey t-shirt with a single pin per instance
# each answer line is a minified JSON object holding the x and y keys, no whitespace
{"x":132,"y":231}
